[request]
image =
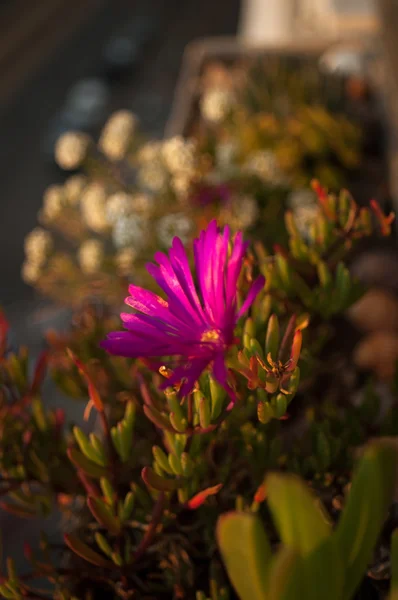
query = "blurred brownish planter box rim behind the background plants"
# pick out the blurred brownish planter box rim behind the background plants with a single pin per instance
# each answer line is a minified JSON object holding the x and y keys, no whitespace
{"x":185,"y":114}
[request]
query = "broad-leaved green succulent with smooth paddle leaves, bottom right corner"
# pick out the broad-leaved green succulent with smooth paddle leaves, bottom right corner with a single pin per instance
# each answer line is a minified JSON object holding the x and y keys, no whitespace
{"x":312,"y":559}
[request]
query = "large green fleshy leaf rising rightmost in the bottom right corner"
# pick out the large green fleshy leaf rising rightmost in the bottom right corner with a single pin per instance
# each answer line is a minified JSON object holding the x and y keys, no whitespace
{"x":368,"y":501}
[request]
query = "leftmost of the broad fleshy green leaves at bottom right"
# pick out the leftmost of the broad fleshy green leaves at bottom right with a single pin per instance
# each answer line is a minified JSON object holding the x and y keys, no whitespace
{"x":246,"y":554}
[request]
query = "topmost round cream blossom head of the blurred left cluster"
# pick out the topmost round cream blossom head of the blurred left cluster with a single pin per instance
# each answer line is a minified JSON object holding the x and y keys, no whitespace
{"x":117,"y":133}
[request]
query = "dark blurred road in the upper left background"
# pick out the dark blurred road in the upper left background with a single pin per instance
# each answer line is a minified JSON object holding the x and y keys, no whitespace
{"x":44,"y":48}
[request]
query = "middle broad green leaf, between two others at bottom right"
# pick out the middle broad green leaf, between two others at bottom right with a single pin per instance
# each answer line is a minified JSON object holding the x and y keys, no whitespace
{"x":299,"y":518}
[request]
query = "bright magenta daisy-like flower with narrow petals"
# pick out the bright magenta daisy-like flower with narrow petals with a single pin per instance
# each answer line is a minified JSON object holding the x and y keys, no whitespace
{"x":196,"y":324}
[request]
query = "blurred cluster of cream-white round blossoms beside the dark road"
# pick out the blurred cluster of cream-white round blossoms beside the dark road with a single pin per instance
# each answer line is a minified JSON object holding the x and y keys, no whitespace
{"x":125,"y":199}
